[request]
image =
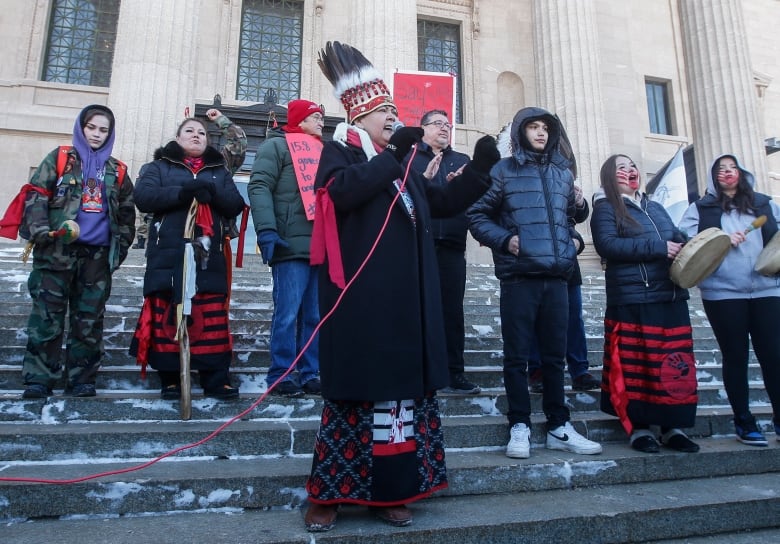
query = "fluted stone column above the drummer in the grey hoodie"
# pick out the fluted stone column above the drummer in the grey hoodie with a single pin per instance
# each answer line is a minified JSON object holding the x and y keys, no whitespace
{"x":723,"y":98}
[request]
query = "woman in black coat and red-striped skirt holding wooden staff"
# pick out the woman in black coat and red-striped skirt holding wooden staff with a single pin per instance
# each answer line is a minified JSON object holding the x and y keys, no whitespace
{"x":187,"y":169}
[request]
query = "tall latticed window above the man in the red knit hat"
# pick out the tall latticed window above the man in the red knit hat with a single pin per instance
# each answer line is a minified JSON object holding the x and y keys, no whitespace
{"x":269,"y":61}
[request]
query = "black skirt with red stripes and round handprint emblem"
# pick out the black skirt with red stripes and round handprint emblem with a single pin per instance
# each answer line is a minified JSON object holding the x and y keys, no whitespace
{"x":653,"y":346}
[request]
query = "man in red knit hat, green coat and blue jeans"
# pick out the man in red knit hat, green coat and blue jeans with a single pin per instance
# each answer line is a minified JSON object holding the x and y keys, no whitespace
{"x":284,"y":237}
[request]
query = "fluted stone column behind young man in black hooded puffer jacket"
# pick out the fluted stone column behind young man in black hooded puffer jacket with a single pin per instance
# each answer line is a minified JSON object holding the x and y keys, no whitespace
{"x":567,"y":80}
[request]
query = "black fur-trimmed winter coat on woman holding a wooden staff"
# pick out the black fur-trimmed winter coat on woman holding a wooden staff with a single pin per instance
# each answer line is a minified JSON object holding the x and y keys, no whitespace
{"x":157,"y":192}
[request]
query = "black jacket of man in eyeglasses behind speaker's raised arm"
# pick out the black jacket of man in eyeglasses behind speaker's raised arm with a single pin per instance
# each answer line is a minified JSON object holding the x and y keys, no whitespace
{"x":449,"y":231}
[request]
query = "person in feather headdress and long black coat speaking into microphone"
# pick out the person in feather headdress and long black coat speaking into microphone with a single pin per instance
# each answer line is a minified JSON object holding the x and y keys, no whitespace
{"x":382,"y":350}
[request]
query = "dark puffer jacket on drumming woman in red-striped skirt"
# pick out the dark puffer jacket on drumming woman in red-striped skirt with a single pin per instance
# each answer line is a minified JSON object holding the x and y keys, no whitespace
{"x":636,"y":254}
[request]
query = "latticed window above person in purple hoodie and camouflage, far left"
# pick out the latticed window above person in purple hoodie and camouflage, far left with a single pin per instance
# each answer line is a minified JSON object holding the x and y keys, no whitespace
{"x":80,"y":48}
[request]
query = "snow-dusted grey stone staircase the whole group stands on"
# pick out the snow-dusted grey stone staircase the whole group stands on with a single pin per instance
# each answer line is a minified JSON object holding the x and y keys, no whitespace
{"x":256,"y":466}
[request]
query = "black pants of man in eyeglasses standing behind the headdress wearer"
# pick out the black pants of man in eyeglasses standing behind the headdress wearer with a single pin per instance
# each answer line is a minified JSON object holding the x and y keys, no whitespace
{"x":452,"y":277}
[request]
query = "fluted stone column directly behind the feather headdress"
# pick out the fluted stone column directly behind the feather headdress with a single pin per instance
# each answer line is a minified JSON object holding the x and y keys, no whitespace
{"x":386,"y":33}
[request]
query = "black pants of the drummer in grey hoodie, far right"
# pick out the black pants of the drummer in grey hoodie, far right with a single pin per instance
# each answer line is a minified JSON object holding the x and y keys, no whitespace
{"x":735,"y":322}
